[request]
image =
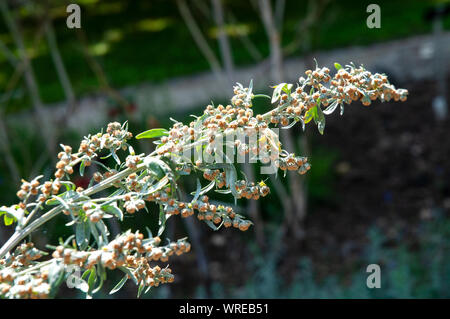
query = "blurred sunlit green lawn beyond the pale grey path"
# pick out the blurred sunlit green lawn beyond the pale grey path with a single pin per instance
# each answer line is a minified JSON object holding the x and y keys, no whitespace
{"x":139,"y":41}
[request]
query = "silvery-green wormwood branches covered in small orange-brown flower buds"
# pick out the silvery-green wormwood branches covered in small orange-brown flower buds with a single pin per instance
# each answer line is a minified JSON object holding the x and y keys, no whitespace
{"x":207,"y":146}
